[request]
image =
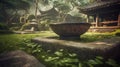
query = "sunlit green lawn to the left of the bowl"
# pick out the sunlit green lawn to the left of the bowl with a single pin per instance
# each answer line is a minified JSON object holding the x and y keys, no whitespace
{"x":11,"y":41}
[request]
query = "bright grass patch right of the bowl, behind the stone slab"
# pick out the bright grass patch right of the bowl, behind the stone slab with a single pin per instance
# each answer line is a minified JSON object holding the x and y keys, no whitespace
{"x":91,"y":37}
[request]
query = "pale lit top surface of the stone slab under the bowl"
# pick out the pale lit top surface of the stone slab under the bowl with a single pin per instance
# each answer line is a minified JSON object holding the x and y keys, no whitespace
{"x":92,"y":45}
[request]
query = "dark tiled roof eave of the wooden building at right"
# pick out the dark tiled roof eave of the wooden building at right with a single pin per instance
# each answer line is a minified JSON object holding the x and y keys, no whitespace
{"x":101,"y":7}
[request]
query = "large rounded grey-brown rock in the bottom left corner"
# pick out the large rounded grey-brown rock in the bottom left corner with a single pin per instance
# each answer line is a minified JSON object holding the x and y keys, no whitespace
{"x":18,"y":59}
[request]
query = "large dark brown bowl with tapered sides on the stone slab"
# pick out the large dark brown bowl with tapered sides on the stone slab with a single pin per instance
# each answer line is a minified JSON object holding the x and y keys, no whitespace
{"x":70,"y":29}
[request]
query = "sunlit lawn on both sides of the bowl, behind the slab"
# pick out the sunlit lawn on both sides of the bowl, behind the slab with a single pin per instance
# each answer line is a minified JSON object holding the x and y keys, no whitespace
{"x":12,"y":41}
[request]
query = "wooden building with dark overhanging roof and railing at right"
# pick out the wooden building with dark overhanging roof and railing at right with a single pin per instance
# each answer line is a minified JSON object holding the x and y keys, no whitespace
{"x":106,"y":14}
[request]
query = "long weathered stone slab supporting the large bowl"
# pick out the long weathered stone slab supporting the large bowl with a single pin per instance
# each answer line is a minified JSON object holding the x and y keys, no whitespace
{"x":106,"y":48}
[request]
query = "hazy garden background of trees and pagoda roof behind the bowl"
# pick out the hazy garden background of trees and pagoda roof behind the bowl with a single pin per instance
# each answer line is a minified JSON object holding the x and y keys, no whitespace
{"x":16,"y":14}
